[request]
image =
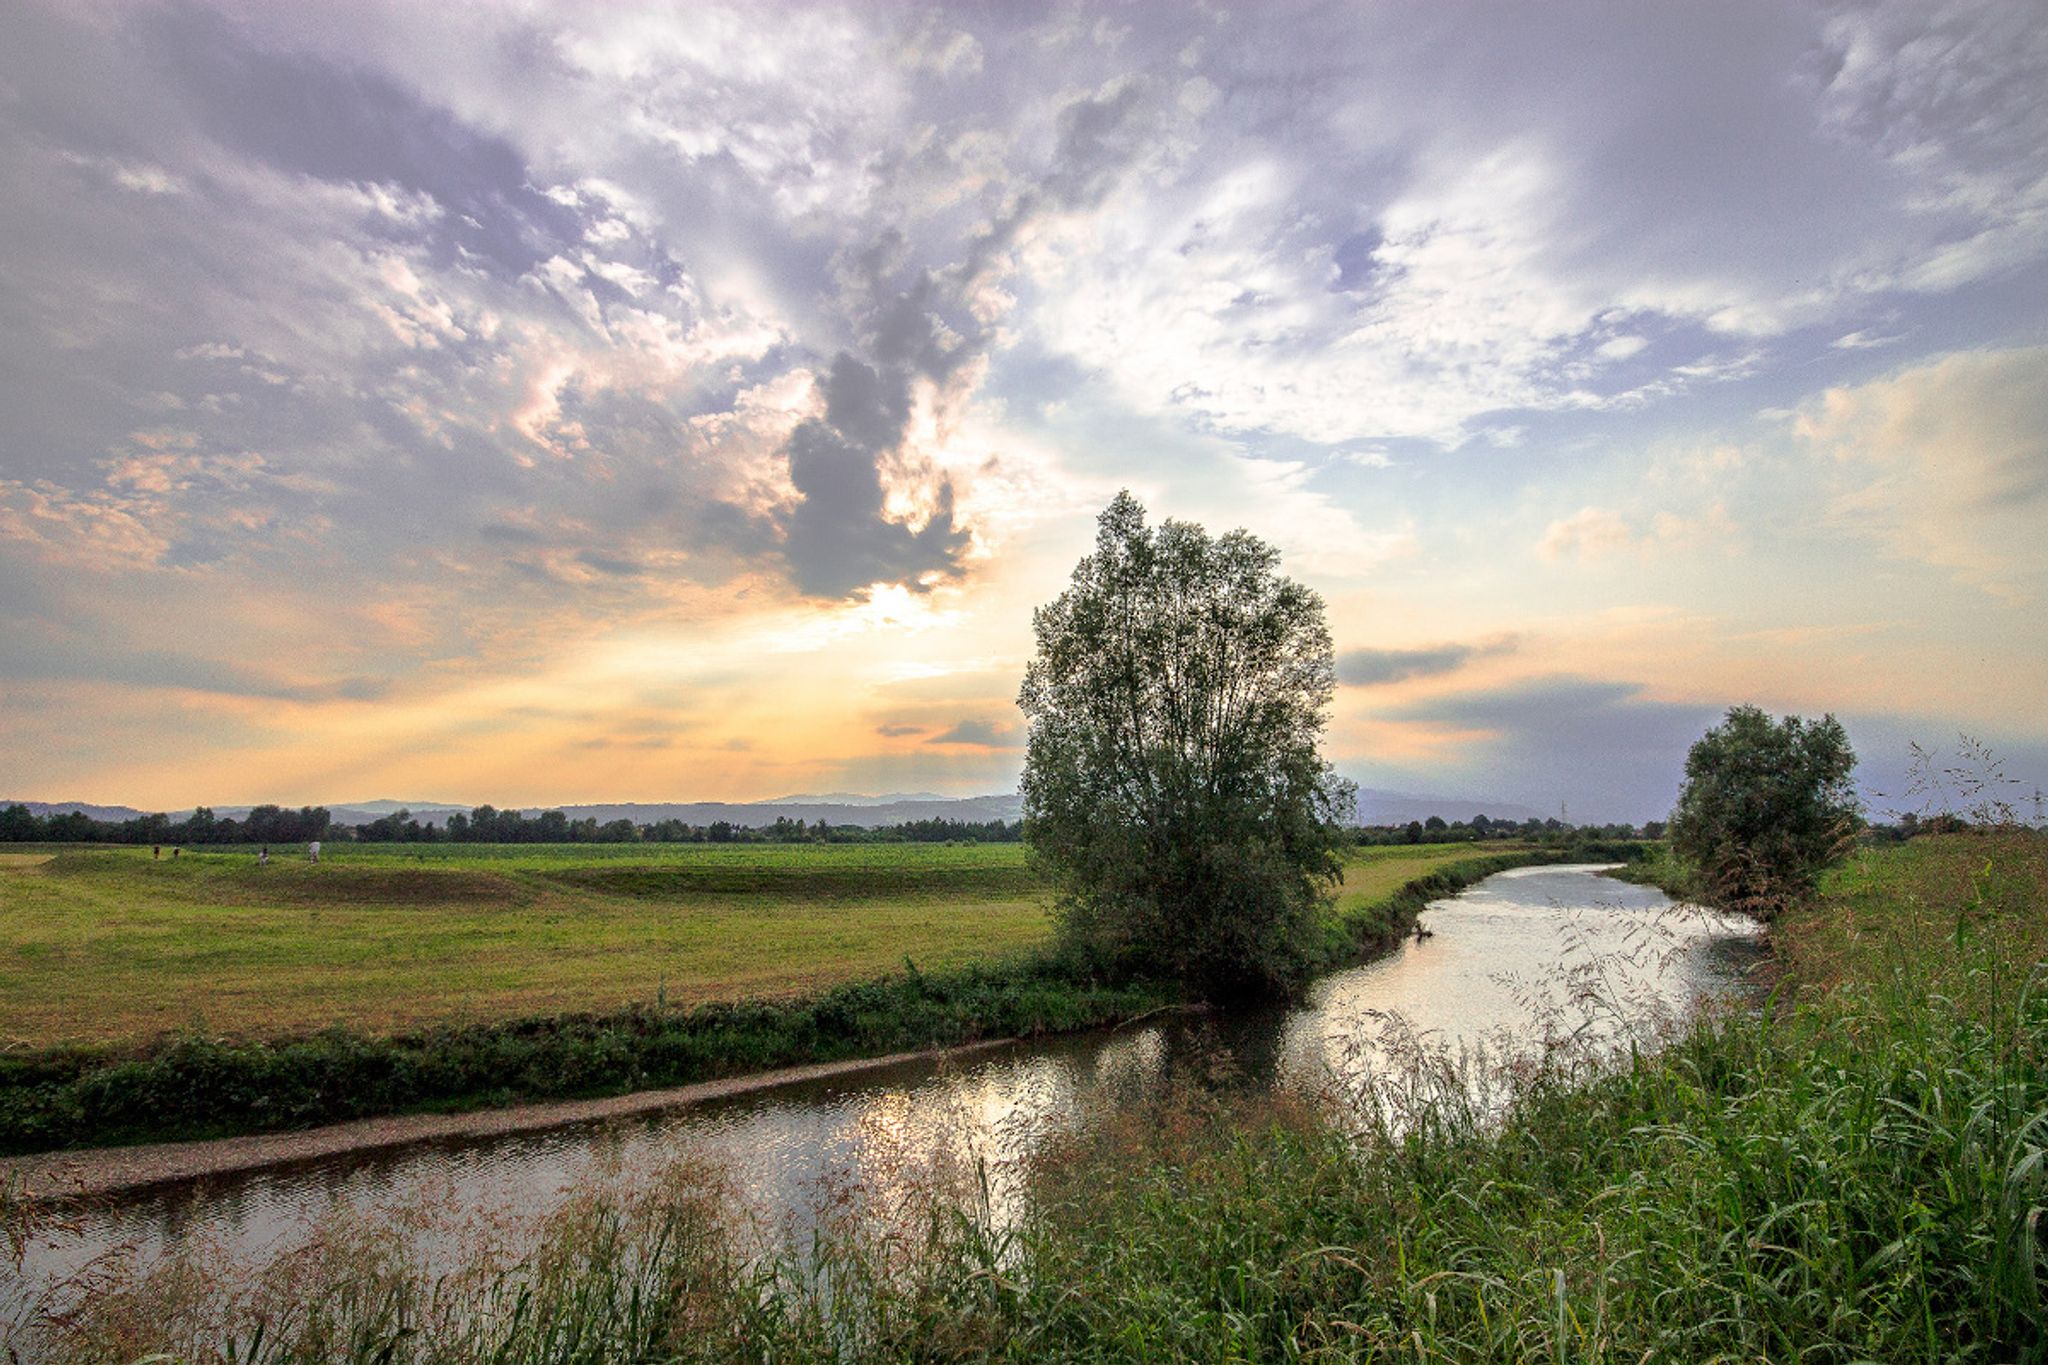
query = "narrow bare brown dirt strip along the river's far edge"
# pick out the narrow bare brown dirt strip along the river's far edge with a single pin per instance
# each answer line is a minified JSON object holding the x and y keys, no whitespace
{"x":103,"y":1172}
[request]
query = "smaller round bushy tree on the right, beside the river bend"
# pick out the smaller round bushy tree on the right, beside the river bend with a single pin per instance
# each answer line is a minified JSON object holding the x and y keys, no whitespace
{"x":1766,"y":809}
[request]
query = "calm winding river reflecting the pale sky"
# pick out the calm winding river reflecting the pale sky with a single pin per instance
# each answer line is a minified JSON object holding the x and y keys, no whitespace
{"x":1523,"y":961}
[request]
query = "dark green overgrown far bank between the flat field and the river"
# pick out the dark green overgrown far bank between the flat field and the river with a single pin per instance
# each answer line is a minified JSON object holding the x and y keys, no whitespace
{"x":210,"y":1088}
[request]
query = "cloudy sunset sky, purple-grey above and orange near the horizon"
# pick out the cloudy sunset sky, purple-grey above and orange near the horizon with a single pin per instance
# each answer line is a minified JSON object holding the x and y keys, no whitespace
{"x":552,"y":402}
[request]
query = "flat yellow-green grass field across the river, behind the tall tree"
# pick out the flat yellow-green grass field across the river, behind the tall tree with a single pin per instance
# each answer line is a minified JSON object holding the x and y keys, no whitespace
{"x":110,"y":946}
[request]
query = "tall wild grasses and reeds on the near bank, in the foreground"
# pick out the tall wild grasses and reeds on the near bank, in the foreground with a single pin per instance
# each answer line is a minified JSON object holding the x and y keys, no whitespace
{"x":1854,"y":1174}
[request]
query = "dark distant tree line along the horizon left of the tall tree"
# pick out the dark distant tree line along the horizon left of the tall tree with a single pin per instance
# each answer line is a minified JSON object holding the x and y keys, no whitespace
{"x":482,"y":826}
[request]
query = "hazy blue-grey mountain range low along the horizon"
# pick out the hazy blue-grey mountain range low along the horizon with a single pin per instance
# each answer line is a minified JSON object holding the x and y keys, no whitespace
{"x":1375,"y":807}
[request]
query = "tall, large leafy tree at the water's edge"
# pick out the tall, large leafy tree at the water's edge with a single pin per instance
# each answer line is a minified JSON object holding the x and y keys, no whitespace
{"x":1172,"y":781}
